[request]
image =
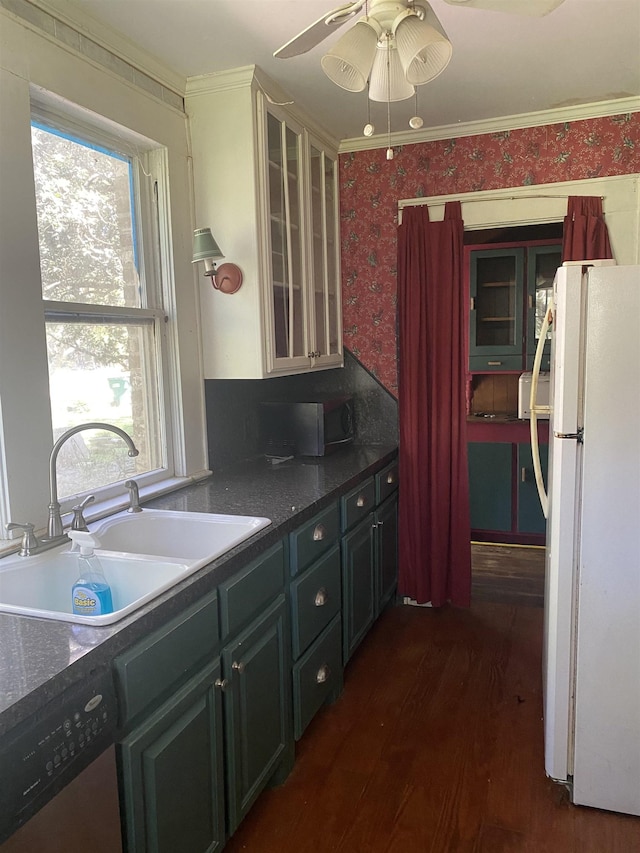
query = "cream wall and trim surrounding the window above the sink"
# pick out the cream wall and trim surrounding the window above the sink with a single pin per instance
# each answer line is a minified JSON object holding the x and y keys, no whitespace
{"x":31,"y":61}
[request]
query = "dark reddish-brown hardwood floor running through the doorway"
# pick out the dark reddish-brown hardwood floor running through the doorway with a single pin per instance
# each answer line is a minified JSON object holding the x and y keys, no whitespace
{"x":436,"y":744}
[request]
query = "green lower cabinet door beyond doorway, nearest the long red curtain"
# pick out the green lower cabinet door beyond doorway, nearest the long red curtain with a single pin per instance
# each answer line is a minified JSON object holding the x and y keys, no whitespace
{"x":490,"y":485}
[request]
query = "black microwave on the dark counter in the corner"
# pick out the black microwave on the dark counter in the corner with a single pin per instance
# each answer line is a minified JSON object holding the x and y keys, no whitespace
{"x":306,"y":428}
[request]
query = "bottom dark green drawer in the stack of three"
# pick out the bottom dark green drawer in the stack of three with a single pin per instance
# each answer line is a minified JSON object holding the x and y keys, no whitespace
{"x":317,"y":676}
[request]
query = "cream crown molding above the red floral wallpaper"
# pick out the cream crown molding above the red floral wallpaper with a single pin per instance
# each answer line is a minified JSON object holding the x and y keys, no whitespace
{"x":496,"y":125}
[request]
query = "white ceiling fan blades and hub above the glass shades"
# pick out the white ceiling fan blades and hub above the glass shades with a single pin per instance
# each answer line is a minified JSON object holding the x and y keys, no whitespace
{"x":386,"y":10}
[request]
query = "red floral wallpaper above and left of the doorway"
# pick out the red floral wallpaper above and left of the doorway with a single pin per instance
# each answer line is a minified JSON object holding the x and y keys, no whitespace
{"x":370,"y":187}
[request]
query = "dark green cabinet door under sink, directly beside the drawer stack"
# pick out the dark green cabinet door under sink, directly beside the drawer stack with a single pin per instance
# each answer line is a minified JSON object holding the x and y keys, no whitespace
{"x":257,"y":703}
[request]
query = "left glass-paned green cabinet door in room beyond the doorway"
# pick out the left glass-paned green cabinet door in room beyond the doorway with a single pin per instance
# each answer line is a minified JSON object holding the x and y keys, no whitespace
{"x":496,"y":289}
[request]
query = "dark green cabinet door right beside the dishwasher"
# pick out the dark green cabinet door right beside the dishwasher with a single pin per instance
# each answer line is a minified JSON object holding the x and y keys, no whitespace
{"x":171,"y":767}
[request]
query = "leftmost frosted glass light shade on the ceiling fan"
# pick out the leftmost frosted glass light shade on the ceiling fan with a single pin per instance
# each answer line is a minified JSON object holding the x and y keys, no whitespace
{"x":349,"y":61}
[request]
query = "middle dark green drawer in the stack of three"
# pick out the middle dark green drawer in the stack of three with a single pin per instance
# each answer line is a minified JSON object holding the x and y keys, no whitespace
{"x":315,"y":600}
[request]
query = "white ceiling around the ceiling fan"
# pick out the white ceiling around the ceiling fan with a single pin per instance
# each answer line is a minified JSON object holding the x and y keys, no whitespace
{"x":585,"y":51}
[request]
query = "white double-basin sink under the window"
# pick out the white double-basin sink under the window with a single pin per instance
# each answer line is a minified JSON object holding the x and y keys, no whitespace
{"x":143,"y":554}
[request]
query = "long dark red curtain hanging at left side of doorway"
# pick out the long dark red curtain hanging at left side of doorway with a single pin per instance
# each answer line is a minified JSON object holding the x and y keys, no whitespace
{"x":434,"y":529}
